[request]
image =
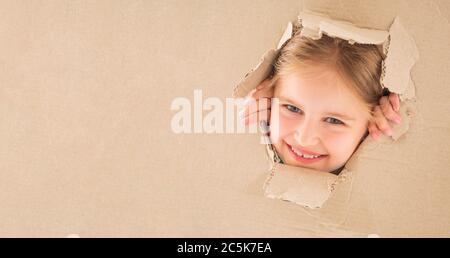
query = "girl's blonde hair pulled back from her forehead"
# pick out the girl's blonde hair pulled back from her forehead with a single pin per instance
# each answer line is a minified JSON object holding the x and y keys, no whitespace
{"x":359,"y":65}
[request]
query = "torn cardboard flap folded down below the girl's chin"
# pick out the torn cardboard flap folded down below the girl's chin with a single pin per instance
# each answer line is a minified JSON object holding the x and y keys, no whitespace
{"x":303,"y":186}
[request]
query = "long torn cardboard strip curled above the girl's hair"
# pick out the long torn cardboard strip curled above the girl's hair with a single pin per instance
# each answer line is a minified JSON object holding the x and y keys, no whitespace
{"x":314,"y":25}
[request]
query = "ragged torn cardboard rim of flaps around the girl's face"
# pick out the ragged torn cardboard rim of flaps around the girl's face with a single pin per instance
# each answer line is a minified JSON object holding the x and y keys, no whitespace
{"x":311,"y":188}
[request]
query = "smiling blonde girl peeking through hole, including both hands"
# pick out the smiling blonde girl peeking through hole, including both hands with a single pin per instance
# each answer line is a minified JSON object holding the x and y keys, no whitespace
{"x":329,"y":99}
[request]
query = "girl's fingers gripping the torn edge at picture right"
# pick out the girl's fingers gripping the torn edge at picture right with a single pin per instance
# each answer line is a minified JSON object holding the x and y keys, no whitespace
{"x":387,"y":110}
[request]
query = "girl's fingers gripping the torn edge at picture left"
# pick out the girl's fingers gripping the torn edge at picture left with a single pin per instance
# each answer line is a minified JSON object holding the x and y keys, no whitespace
{"x":257,"y":104}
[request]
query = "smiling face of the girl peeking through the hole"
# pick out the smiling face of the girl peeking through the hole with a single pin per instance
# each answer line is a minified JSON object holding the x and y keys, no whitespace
{"x":317,"y":115}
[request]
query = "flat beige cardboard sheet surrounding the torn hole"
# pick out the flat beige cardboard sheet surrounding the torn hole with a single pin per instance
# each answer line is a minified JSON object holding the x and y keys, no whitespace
{"x":86,"y":146}
